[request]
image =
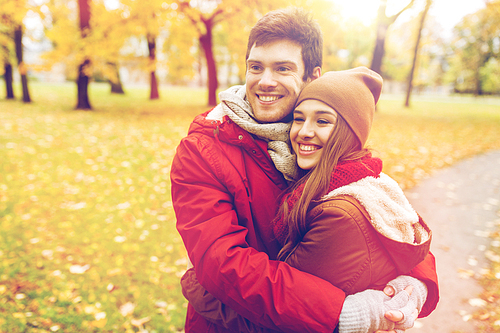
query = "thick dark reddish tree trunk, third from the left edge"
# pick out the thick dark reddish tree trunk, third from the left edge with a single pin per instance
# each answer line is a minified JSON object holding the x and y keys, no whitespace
{"x":83,"y":79}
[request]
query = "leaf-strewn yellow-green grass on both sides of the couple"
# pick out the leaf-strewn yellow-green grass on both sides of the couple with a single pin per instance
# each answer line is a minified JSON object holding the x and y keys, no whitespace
{"x":87,"y":231}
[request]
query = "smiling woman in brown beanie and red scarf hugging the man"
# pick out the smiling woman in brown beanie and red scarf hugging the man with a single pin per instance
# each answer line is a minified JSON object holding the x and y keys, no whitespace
{"x":344,"y":220}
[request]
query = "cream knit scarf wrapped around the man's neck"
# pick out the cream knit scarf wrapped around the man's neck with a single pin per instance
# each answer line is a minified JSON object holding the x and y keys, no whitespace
{"x":235,"y":105}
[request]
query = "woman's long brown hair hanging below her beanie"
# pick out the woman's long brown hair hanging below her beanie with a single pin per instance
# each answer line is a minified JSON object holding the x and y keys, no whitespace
{"x":342,"y":145}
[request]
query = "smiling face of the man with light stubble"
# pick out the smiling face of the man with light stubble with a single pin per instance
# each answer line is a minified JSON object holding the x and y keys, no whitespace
{"x":274,"y":79}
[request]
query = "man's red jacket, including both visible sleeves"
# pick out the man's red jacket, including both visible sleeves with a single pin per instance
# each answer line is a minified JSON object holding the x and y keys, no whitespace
{"x":225,"y":192}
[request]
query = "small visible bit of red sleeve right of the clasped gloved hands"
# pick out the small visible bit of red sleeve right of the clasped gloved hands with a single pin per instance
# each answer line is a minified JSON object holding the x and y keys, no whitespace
{"x":426,"y":272}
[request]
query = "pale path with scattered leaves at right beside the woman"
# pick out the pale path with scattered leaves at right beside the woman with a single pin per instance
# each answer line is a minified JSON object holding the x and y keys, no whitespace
{"x":461,"y":205}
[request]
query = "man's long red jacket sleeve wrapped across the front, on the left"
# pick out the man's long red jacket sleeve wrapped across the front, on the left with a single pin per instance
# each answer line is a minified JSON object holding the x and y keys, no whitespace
{"x":267,"y":292}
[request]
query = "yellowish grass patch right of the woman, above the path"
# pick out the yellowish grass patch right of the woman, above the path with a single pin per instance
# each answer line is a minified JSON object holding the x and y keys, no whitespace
{"x":432,"y":134}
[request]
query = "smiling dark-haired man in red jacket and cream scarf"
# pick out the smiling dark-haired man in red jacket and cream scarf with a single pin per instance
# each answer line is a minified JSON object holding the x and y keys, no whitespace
{"x":227,"y":176}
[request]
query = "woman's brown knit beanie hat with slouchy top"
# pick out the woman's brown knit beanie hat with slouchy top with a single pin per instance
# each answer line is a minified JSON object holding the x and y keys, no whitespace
{"x":351,"y":93}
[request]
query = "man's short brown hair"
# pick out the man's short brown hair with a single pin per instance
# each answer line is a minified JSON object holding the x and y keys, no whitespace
{"x":295,"y":25}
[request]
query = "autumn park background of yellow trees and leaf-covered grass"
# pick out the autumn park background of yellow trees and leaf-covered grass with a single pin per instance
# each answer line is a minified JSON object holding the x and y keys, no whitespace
{"x":95,"y":96}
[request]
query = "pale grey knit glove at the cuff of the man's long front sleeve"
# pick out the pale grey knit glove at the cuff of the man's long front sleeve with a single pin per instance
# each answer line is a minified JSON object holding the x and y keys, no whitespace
{"x":364,"y":312}
